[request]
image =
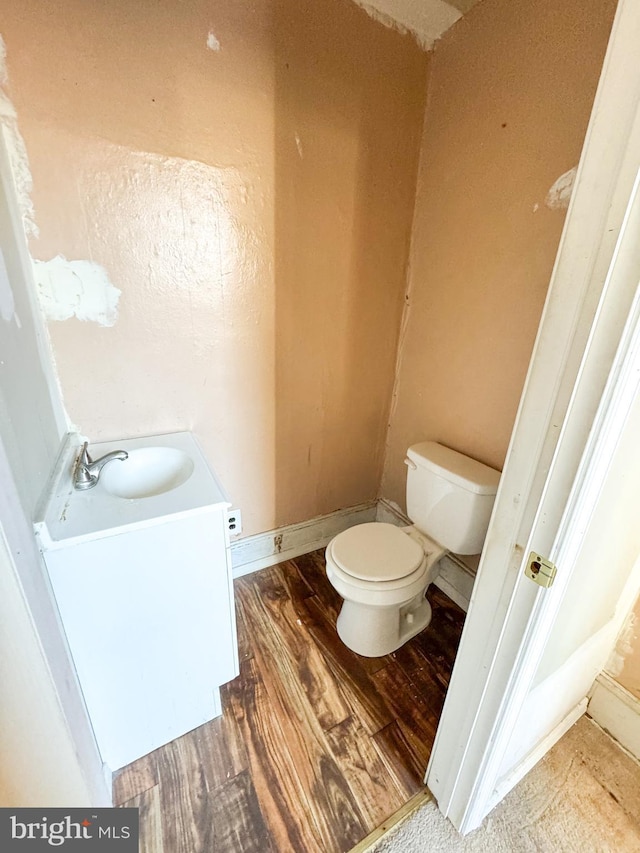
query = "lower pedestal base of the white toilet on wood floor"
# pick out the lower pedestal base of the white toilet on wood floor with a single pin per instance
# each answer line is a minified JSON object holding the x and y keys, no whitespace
{"x":373,"y":631}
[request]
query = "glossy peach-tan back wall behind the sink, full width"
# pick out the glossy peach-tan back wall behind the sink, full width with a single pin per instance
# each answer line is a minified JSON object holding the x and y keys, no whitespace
{"x":252,"y":203}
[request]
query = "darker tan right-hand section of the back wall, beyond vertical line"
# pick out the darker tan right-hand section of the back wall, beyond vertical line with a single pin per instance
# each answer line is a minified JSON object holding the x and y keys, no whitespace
{"x":348,"y":127}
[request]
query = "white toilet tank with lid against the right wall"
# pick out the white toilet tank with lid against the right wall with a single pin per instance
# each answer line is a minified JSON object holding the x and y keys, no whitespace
{"x":450,"y":496}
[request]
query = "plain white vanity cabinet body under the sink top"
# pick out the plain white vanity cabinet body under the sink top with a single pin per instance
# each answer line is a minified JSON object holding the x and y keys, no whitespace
{"x":148,"y":612}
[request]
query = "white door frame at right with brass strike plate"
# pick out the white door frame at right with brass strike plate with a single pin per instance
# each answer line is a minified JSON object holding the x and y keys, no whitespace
{"x":529,"y":655}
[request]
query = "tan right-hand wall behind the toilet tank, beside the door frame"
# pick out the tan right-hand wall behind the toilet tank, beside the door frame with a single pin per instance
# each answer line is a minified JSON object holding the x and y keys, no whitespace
{"x":511,"y":88}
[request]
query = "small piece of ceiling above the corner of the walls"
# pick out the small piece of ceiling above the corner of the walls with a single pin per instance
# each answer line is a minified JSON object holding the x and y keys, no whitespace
{"x":427,"y":20}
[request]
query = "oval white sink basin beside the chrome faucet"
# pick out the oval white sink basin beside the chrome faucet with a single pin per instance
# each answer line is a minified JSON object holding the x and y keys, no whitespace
{"x":147,"y":472}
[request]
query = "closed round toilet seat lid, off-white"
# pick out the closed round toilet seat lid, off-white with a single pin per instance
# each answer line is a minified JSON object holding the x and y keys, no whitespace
{"x":377,"y":553}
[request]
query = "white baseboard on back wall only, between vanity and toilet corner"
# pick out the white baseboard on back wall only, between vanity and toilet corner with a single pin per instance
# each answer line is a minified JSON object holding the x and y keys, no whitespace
{"x":254,"y":553}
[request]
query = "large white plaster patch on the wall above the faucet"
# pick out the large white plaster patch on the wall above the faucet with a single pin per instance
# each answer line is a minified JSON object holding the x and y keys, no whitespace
{"x":76,"y":289}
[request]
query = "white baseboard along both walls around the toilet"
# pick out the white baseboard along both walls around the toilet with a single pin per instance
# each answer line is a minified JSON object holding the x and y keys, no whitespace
{"x":263,"y":550}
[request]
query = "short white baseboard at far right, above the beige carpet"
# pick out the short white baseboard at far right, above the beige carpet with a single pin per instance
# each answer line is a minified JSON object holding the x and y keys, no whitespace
{"x":616,"y":711}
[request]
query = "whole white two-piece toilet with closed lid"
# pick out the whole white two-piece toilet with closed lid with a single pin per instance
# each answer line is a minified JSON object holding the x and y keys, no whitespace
{"x":382,"y":571}
